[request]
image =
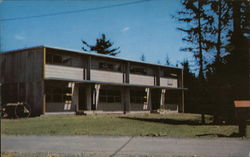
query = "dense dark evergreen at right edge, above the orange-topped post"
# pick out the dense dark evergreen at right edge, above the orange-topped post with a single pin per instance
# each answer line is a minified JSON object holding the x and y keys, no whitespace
{"x":238,"y":58}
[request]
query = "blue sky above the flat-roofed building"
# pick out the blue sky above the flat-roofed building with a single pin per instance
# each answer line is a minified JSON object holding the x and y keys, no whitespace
{"x":136,"y":26}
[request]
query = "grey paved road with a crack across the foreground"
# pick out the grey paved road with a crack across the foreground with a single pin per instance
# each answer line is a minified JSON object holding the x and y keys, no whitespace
{"x":126,"y":146}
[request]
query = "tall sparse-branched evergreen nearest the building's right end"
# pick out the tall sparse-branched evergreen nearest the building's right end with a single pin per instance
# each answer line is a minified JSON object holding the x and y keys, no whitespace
{"x":194,"y":15}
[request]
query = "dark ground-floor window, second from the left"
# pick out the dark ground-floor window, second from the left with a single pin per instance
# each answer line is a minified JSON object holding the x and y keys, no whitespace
{"x":110,"y":96}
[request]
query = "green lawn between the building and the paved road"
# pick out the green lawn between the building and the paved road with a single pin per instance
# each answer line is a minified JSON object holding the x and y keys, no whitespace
{"x":173,"y":125}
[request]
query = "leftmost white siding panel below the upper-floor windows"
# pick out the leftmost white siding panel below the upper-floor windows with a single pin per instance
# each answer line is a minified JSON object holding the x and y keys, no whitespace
{"x":63,"y":72}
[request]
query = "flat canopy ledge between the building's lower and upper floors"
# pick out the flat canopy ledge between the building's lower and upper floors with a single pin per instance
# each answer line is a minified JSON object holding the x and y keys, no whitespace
{"x":111,"y":83}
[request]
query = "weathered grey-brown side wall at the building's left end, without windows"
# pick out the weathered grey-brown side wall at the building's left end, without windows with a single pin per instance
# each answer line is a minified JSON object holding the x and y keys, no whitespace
{"x":22,"y":78}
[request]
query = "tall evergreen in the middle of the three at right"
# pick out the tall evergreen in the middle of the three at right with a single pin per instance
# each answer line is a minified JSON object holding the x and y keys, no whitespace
{"x":217,"y":81}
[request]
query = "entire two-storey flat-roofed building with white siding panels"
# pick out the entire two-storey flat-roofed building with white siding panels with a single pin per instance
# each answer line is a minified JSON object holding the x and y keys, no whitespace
{"x":54,"y":80}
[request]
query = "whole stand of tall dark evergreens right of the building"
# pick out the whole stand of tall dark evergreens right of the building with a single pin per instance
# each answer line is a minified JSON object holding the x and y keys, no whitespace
{"x":217,"y":33}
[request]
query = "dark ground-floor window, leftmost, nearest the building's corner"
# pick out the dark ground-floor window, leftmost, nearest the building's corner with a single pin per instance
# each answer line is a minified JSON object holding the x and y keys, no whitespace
{"x":58,"y":94}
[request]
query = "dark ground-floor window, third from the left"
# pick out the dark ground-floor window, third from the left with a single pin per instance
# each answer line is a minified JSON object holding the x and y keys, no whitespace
{"x":138,"y":96}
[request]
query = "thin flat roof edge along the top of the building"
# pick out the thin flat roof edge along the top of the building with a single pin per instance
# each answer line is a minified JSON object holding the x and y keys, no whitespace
{"x":91,"y":54}
